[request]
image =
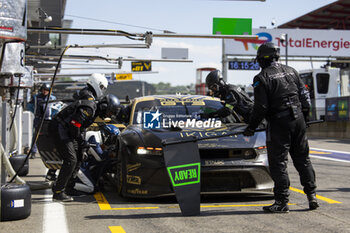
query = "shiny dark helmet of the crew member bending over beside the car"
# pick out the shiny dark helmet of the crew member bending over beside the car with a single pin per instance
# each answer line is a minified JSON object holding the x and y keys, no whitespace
{"x":108,"y":106}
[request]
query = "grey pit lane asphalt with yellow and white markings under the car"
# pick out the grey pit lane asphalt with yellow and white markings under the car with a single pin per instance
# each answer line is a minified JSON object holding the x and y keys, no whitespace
{"x":106,"y":212}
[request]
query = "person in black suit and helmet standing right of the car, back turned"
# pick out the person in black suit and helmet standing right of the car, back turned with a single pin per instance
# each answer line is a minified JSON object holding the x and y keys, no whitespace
{"x":281,"y":97}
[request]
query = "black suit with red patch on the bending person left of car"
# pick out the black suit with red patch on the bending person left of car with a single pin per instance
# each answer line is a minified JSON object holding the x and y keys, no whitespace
{"x":69,"y":127}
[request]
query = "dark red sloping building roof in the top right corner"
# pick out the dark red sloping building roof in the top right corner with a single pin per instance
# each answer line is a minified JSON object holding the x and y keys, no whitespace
{"x":332,"y":16}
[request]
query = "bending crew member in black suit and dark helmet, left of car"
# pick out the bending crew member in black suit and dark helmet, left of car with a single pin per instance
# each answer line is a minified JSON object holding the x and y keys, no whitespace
{"x":69,"y":127}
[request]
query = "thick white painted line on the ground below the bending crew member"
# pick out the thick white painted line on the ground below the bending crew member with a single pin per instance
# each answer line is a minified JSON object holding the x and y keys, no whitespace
{"x":54,"y":218}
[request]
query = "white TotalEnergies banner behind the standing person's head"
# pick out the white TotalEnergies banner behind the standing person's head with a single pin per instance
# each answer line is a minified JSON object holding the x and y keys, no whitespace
{"x":301,"y":42}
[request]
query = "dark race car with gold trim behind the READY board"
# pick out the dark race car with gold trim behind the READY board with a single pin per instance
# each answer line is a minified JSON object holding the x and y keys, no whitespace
{"x":227,"y":164}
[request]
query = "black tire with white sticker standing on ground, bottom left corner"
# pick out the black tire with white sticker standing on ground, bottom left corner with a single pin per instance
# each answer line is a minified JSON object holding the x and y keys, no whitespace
{"x":16,"y":201}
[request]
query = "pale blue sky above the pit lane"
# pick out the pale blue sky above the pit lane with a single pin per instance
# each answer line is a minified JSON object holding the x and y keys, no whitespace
{"x":181,"y":16}
